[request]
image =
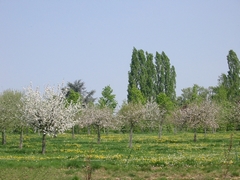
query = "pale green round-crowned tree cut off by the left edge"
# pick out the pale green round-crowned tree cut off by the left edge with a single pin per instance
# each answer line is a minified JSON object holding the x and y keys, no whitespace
{"x":9,"y":111}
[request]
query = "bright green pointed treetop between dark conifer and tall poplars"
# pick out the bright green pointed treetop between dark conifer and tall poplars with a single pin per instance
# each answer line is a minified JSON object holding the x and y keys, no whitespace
{"x":108,"y":98}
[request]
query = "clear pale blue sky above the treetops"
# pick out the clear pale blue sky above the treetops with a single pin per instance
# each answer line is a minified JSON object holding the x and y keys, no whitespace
{"x":50,"y":42}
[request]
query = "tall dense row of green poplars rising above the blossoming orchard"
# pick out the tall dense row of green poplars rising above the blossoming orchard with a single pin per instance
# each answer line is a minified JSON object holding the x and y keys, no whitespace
{"x":149,"y":76}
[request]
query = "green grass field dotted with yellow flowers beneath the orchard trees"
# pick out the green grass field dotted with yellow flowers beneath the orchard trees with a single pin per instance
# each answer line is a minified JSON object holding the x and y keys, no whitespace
{"x":171,"y":157}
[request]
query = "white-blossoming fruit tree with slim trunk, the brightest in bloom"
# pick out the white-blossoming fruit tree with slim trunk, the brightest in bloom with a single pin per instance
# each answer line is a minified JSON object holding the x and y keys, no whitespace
{"x":49,"y":112}
